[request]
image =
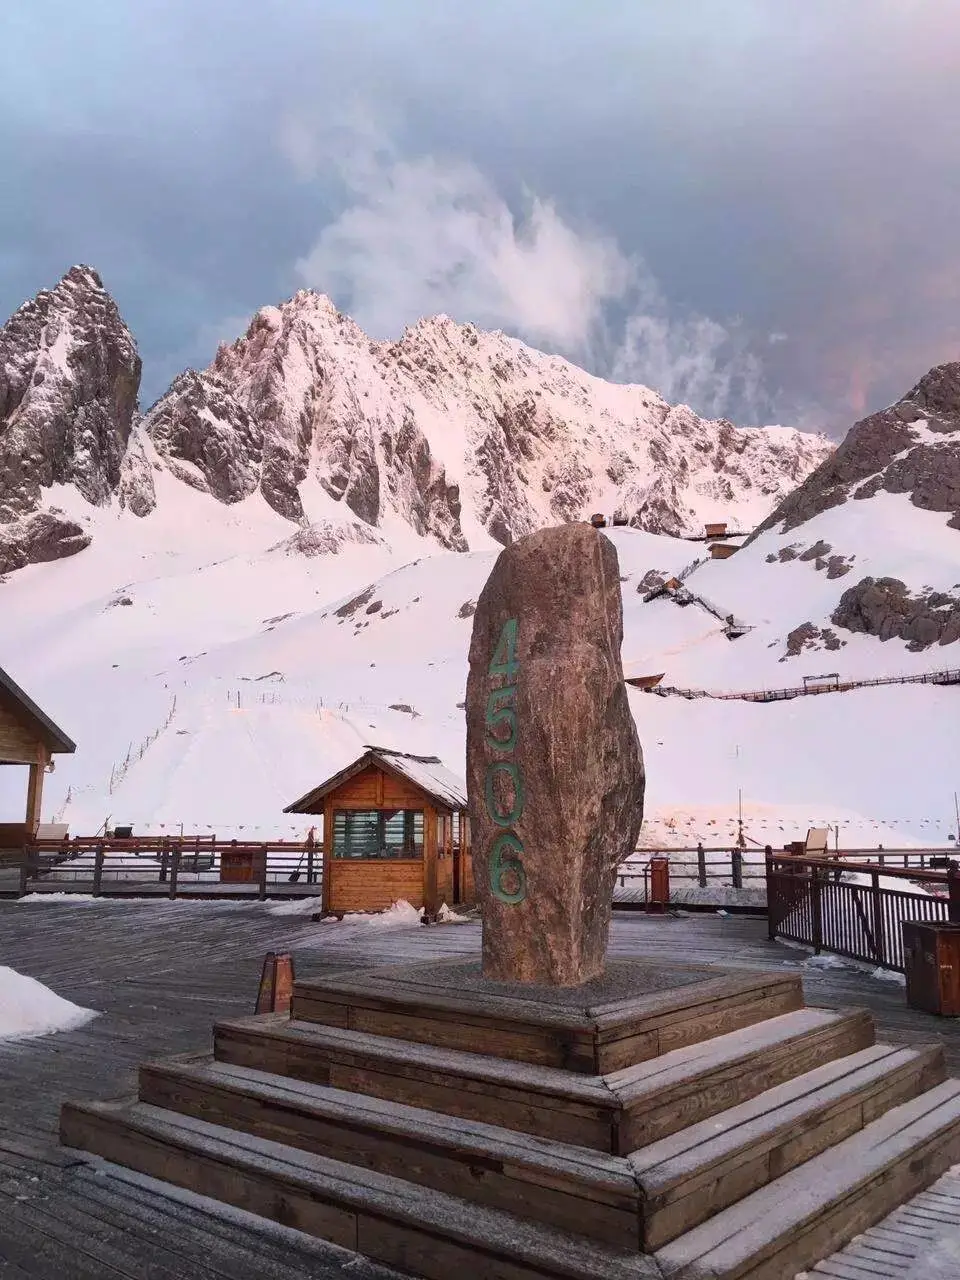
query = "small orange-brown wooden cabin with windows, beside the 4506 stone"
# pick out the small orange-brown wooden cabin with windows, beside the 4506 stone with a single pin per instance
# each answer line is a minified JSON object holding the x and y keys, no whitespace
{"x":395,"y":828}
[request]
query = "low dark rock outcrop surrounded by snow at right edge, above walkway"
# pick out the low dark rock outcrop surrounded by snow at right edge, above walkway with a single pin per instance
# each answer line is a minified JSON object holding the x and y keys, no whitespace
{"x":885,"y":609}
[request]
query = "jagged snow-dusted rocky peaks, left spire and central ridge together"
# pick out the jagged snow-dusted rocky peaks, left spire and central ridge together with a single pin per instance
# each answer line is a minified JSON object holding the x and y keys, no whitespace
{"x":460,"y":437}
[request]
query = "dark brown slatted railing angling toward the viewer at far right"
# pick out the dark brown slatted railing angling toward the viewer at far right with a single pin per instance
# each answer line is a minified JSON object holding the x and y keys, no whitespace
{"x":810,"y":902}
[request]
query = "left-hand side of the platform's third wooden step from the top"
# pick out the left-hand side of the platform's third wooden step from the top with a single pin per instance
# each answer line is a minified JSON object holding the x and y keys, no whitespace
{"x":488,"y":1165}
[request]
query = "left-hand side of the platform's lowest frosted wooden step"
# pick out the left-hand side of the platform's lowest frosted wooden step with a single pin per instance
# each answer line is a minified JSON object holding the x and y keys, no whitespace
{"x":388,"y":1219}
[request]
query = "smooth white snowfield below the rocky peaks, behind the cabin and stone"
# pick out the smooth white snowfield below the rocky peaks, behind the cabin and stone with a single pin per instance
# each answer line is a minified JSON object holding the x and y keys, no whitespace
{"x":239,"y":679}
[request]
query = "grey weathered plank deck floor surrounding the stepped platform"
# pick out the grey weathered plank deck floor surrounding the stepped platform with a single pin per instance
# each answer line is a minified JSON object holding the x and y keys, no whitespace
{"x":162,"y":973}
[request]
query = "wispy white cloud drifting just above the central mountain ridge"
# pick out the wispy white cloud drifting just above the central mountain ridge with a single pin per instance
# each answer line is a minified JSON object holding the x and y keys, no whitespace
{"x":427,"y":235}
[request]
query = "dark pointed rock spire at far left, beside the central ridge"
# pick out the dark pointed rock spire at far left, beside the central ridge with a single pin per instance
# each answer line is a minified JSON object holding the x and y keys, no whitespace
{"x":70,"y":376}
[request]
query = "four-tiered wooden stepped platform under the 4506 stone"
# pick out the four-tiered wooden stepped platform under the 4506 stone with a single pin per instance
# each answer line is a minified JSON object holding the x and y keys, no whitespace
{"x":662,"y":1123}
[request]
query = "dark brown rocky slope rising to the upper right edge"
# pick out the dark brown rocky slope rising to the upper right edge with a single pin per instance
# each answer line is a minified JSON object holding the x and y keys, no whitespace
{"x":913,"y":447}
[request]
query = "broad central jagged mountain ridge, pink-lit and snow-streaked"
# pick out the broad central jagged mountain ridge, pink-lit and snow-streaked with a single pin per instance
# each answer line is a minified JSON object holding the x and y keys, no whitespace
{"x":458,"y":432}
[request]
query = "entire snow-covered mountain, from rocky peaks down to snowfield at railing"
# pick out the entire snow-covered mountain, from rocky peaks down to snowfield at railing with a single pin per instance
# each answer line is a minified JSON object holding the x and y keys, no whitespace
{"x":214,"y":653}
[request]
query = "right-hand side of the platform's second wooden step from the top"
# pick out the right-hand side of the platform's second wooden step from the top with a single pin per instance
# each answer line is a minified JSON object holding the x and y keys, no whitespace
{"x":685,"y":1087}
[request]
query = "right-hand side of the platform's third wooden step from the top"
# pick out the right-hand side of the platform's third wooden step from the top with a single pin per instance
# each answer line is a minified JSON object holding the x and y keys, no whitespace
{"x":702,"y":1171}
